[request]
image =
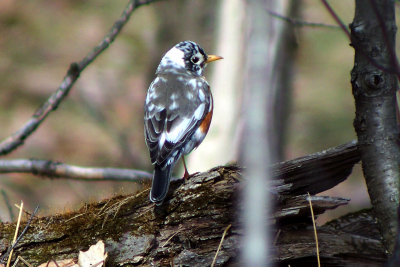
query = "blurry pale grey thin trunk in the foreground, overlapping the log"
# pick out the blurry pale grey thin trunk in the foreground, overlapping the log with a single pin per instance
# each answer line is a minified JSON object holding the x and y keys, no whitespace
{"x":262,"y":34}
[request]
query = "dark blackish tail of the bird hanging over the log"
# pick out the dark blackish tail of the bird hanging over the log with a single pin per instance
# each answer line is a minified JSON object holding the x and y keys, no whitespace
{"x":160,"y":185}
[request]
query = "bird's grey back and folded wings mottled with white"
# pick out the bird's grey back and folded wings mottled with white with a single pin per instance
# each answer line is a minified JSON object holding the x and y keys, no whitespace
{"x":175,"y":106}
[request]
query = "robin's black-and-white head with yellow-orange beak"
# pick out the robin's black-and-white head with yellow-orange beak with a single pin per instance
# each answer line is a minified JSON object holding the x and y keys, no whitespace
{"x":186,"y":56}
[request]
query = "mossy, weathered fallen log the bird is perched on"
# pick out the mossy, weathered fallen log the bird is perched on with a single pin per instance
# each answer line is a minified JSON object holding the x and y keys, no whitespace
{"x":187,"y":229}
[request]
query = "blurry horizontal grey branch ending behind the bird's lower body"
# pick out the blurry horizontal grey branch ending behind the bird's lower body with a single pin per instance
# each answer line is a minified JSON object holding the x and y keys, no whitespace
{"x":53,"y":169}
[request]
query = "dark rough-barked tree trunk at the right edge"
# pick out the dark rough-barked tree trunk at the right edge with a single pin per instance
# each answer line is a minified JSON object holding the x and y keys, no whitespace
{"x":374,"y":88}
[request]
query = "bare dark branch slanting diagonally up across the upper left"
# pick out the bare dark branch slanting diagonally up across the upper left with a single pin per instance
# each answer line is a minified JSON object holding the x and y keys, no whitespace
{"x":15,"y":140}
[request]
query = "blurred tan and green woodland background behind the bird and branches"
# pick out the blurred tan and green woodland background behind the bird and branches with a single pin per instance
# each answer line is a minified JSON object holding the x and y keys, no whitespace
{"x":100,"y":123}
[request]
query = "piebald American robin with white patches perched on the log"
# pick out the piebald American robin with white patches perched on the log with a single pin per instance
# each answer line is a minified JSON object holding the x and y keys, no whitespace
{"x":177,"y":111}
